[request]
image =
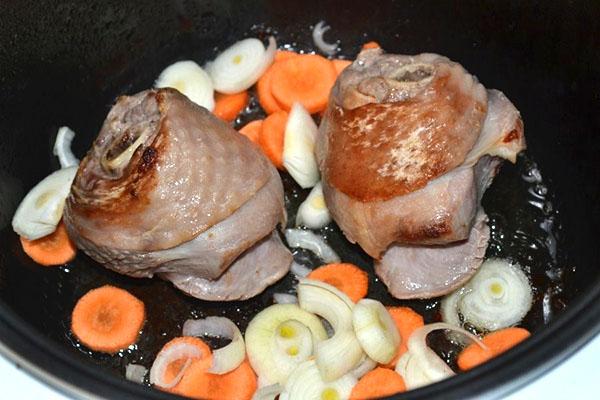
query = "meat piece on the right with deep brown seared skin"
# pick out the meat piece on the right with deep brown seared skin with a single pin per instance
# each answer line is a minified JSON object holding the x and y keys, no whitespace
{"x":406,"y":149}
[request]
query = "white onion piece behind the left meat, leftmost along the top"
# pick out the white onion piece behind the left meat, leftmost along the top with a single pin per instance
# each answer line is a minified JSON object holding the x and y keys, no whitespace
{"x":191,"y":80}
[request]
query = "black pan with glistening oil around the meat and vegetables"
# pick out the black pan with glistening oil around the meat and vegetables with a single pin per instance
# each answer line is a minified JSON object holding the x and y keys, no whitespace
{"x":64,"y":63}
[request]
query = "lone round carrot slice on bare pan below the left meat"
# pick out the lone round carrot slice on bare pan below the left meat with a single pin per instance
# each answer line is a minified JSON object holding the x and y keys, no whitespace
{"x":108,"y":319}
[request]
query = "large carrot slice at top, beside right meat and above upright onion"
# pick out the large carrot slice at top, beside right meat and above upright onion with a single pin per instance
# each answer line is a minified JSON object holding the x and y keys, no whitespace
{"x":306,"y":79}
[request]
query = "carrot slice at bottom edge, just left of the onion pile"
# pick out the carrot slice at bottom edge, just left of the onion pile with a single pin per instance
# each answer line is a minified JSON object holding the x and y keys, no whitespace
{"x":197,"y":383}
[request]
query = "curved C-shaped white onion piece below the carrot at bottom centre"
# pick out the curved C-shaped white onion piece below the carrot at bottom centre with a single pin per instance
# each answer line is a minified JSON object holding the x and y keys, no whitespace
{"x":342,"y":352}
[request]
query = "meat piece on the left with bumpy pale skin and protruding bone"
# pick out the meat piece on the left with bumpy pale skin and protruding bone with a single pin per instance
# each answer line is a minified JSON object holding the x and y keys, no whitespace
{"x":169,"y":189}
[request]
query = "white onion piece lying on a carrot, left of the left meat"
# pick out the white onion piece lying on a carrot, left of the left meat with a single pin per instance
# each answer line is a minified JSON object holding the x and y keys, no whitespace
{"x":41,"y":210}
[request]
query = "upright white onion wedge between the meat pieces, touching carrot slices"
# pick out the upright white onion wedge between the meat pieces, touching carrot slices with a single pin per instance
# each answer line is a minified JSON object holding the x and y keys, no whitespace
{"x":299,"y":147}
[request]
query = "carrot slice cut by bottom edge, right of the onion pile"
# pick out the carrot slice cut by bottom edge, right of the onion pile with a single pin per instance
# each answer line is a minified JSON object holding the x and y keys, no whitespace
{"x":380,"y":382}
